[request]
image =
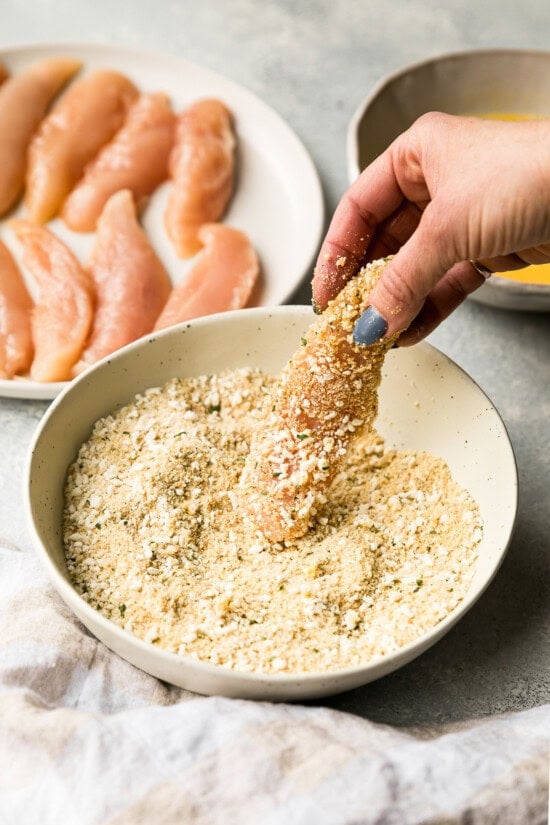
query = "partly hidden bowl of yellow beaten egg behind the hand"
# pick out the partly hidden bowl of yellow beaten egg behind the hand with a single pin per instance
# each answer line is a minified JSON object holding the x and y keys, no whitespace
{"x":502,"y":84}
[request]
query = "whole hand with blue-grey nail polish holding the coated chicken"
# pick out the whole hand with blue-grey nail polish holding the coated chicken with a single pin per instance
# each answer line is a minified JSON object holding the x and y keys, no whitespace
{"x":447,"y":191}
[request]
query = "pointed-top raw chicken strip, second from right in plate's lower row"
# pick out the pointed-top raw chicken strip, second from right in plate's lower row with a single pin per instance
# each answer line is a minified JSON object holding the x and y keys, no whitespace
{"x":131,"y":283}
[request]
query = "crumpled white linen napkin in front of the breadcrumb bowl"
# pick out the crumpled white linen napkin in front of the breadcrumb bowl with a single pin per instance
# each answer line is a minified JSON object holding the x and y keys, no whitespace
{"x":86,"y":738}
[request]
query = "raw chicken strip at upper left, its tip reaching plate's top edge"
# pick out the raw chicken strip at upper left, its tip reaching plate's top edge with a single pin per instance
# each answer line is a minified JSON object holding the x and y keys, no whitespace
{"x":24,"y":99}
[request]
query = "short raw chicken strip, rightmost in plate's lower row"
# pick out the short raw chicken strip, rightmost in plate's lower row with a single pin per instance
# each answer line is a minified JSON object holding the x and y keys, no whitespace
{"x":221,"y":279}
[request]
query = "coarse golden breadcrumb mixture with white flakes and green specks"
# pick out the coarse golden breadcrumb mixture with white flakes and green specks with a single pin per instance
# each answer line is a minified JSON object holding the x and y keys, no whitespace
{"x":155,"y":538}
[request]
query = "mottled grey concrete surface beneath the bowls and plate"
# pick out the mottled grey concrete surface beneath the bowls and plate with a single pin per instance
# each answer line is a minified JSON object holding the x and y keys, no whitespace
{"x":313,"y":62}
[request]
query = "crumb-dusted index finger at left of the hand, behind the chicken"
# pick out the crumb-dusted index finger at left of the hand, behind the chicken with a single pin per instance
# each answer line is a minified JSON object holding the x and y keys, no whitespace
{"x":372,"y":198}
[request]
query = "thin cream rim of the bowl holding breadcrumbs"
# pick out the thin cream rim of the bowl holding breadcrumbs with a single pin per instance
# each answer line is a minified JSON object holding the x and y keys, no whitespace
{"x":277,"y":680}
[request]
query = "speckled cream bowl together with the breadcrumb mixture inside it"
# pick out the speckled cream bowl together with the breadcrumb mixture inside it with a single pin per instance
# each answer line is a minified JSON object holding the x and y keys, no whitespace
{"x":132,"y":475}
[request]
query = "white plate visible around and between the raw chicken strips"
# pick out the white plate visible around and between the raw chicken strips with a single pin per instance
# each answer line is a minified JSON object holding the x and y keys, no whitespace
{"x":278,"y":199}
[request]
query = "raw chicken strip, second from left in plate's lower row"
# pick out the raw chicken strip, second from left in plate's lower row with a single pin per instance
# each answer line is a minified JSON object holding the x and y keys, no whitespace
{"x":62,"y":316}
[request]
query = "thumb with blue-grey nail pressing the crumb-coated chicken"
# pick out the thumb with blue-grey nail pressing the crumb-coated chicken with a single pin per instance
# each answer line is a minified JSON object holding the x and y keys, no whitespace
{"x":404,"y":285}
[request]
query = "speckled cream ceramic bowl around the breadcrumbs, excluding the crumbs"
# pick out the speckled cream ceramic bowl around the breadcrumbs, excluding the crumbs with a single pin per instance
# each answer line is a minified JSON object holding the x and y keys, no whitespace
{"x":427,"y":402}
